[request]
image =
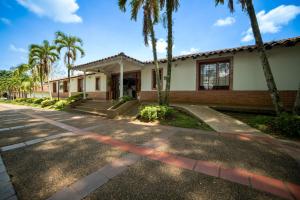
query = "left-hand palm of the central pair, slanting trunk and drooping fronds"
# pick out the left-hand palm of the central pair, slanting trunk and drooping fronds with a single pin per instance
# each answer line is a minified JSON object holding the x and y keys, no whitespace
{"x":151,"y":12}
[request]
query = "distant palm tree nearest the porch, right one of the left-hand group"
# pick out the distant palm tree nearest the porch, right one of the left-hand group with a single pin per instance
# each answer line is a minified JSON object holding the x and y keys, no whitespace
{"x":72,"y":44}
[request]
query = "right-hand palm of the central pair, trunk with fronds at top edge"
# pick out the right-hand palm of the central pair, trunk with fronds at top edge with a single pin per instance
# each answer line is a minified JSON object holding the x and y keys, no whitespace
{"x":171,"y":6}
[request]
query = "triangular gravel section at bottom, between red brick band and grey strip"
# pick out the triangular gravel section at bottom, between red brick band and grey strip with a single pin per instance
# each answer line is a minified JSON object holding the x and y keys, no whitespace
{"x":153,"y":180}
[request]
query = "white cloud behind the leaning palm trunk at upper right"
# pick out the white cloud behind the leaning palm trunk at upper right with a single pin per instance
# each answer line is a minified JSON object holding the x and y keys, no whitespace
{"x":273,"y":21}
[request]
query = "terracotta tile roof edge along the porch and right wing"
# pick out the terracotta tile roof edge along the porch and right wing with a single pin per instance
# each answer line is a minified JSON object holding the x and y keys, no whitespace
{"x":284,"y":42}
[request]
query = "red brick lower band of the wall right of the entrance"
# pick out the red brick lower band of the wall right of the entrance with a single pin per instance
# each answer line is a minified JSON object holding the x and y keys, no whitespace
{"x":226,"y":98}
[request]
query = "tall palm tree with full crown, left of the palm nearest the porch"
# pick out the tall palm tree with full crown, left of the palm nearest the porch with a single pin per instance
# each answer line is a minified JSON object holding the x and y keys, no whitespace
{"x":44,"y":56}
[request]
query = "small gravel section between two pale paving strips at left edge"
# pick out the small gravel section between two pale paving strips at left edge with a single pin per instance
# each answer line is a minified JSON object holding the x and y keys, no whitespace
{"x":29,"y":133}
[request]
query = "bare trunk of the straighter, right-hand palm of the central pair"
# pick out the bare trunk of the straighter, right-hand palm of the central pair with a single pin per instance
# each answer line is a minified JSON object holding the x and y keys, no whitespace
{"x":169,"y":50}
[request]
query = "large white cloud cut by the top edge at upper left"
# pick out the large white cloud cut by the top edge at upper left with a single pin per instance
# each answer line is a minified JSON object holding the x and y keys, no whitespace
{"x":59,"y":10}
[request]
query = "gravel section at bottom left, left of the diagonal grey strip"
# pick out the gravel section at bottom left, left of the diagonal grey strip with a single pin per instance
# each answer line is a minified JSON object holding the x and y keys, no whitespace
{"x":37,"y":172}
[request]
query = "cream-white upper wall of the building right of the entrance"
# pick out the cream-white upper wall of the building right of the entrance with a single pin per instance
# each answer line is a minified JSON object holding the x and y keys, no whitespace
{"x":247,"y":71}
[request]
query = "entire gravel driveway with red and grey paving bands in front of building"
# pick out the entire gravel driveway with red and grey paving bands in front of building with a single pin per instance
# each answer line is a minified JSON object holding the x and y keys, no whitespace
{"x":59,"y":155}
